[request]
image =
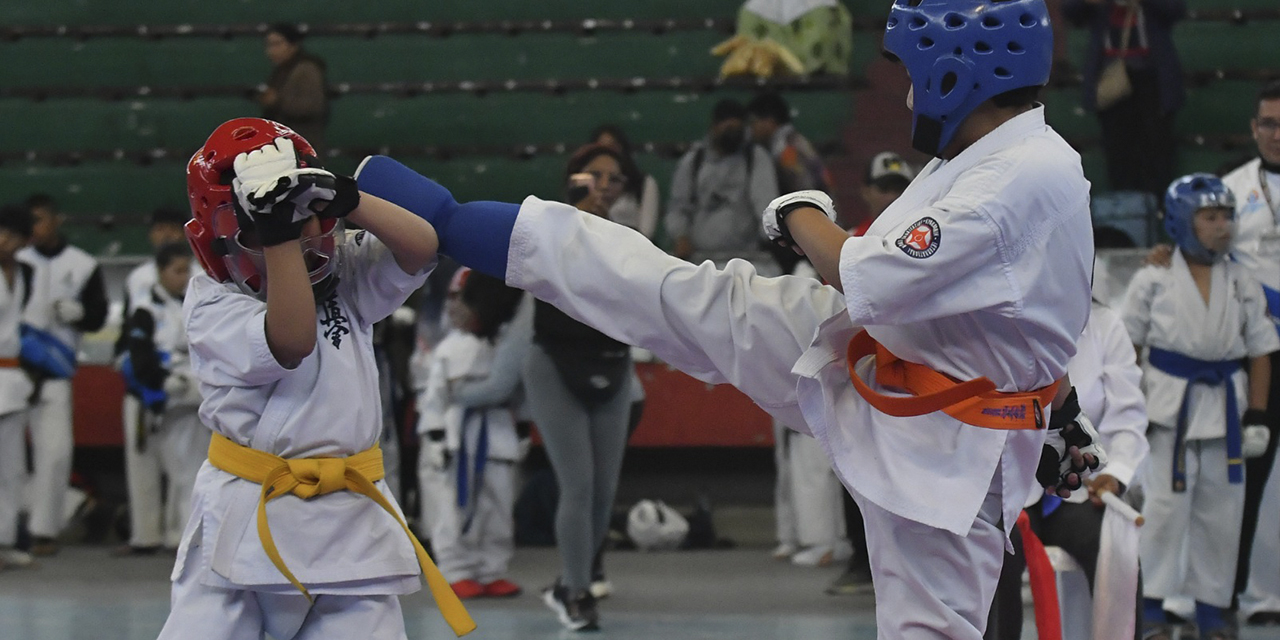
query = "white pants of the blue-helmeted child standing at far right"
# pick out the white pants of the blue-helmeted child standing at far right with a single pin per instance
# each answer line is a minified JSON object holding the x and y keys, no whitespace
{"x":1191,"y":540}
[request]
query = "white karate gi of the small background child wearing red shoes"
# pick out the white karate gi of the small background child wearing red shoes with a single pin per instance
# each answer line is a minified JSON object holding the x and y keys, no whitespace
{"x":484,"y":551}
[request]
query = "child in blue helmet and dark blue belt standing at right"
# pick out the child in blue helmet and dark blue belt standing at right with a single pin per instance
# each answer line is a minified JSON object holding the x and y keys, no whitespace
{"x":1199,"y":319}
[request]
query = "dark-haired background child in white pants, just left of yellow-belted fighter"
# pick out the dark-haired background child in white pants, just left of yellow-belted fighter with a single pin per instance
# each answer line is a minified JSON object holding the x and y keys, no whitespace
{"x":163,"y":437}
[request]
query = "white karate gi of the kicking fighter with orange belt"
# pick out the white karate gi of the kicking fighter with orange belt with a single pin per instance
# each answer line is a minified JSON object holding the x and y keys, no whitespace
{"x":1005,"y":295}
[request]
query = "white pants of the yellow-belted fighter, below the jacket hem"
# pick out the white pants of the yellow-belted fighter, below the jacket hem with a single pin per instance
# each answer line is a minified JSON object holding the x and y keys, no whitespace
{"x":214,"y":614}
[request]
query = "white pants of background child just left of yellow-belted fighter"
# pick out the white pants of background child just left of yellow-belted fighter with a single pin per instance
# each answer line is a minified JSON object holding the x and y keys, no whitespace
{"x":173,"y":452}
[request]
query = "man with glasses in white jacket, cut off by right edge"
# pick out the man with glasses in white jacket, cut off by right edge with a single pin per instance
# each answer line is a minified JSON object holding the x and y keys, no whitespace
{"x":1258,"y":246}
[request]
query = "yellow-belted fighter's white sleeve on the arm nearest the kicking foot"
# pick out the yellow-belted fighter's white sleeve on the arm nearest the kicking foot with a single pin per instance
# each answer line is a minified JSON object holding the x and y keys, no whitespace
{"x":372,"y":278}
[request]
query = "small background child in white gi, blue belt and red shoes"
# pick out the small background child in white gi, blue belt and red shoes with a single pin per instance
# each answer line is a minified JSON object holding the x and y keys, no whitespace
{"x":474,"y":447}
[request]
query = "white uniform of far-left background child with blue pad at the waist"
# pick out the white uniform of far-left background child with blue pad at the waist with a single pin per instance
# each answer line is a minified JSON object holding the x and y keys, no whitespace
{"x":63,"y":276}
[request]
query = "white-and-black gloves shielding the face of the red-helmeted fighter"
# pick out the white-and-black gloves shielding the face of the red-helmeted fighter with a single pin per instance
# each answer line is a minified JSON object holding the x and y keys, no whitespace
{"x":269,"y":176}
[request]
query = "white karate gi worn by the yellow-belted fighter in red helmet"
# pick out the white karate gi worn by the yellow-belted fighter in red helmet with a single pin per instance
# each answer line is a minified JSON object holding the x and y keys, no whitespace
{"x":340,"y":545}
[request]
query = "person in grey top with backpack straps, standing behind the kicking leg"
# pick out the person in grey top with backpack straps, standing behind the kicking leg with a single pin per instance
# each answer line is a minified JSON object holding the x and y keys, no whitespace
{"x":719,"y":191}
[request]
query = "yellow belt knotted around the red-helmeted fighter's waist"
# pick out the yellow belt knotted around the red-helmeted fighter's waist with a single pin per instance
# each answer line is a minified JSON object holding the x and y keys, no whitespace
{"x":308,"y":478}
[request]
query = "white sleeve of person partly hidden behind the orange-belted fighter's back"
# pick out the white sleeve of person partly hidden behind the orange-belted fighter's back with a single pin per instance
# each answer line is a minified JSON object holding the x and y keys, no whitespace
{"x":1124,"y":410}
